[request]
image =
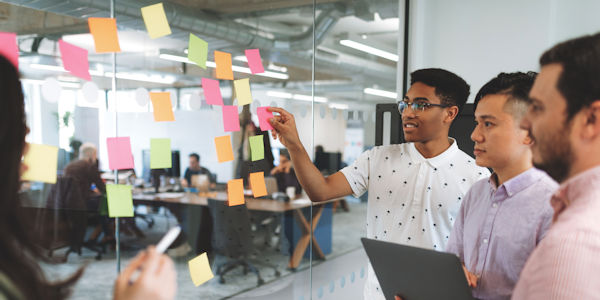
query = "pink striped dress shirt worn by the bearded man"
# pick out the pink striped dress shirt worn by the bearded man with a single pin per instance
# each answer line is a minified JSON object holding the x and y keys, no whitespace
{"x":566,"y":264}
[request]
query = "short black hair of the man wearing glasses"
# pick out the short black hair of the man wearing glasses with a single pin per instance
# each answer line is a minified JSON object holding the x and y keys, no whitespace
{"x":449,"y":87}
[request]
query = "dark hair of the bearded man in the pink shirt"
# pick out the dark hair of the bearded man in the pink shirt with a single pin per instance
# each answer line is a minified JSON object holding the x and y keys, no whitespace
{"x":578,"y":81}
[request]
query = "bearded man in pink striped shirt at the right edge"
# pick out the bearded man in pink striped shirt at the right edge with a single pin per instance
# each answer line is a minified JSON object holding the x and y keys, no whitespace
{"x":564,"y":120}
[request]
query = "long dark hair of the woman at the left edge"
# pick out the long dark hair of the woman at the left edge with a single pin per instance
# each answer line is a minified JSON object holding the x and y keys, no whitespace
{"x":19,"y":256}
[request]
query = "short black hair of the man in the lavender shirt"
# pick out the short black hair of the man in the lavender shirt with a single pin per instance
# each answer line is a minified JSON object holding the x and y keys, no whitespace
{"x":515,"y":85}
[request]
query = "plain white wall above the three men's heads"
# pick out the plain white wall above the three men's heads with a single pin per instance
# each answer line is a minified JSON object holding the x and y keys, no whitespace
{"x":478,"y":39}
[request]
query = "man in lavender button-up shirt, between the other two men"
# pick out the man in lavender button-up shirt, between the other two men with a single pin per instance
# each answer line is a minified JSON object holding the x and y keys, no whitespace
{"x":503,"y":217}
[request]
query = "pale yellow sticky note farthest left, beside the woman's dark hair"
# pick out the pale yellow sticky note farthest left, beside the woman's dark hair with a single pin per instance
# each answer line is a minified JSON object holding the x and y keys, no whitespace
{"x":41,"y":161}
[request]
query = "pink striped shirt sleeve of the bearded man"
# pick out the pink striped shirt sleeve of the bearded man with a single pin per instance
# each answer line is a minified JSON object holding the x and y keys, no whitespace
{"x":563,"y":267}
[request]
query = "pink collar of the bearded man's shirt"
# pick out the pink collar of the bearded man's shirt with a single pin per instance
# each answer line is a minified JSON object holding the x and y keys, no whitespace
{"x":574,"y":188}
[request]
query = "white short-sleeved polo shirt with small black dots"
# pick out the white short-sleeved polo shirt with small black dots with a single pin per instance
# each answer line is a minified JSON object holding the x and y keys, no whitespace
{"x":412,"y":200}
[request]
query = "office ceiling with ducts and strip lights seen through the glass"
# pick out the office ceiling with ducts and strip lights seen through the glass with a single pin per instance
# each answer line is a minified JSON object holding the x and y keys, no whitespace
{"x":281,"y":29}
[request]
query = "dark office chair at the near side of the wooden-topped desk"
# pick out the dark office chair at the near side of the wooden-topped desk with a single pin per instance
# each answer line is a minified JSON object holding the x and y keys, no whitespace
{"x":232,"y":239}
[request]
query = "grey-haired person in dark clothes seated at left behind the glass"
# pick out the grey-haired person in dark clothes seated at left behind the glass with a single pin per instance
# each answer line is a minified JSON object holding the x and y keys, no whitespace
{"x":85,"y":172}
